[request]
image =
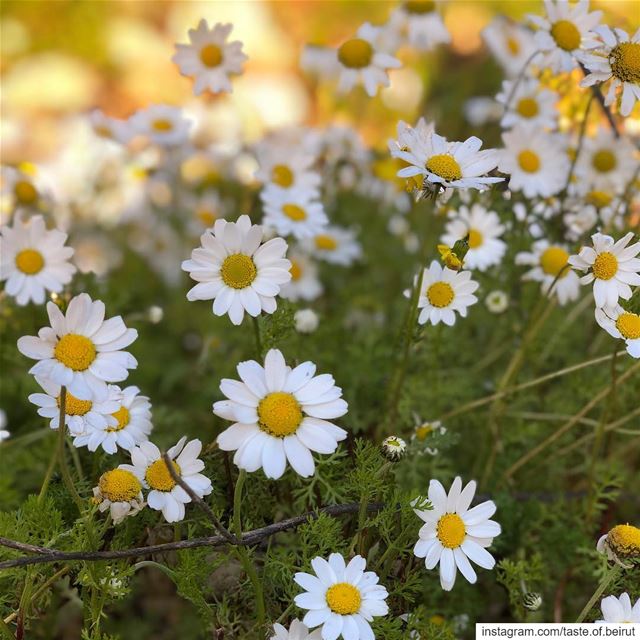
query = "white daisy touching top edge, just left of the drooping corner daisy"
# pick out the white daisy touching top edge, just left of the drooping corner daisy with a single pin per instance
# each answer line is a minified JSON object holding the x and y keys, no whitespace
{"x":565,"y":33}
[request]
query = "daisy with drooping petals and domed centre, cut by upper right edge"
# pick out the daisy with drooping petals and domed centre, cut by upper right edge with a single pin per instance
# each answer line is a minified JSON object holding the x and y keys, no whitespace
{"x":617,"y":60}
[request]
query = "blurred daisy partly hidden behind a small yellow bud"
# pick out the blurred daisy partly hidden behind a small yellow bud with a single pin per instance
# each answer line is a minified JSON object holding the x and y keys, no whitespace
{"x":484,"y":230}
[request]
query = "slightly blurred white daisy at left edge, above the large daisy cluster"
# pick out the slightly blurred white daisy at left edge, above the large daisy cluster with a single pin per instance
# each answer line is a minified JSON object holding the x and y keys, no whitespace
{"x":34,"y":260}
